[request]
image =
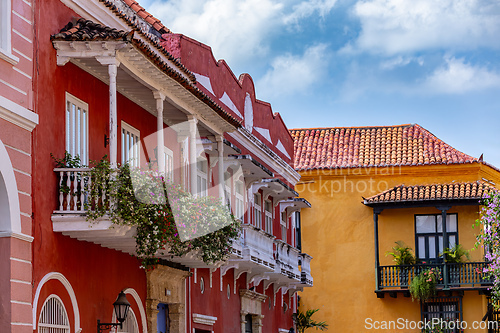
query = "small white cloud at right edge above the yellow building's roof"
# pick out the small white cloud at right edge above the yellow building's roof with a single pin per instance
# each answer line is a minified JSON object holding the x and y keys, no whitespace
{"x":458,"y":77}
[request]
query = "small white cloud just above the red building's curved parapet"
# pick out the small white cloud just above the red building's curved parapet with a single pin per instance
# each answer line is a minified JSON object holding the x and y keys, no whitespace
{"x":291,"y":74}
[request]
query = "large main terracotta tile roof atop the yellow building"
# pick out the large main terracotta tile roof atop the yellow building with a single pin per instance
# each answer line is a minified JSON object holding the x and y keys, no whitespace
{"x":354,"y":147}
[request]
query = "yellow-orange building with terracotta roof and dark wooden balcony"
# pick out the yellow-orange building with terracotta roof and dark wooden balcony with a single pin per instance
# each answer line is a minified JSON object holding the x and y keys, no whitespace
{"x":370,"y":187}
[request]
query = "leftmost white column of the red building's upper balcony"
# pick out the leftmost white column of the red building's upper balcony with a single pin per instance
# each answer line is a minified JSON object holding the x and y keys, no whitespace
{"x":112,"y":64}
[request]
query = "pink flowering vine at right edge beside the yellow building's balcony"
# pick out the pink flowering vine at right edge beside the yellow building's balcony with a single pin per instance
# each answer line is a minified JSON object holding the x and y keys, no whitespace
{"x":489,"y":239}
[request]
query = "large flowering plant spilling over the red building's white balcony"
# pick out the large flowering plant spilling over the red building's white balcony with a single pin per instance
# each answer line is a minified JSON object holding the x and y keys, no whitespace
{"x":145,"y":200}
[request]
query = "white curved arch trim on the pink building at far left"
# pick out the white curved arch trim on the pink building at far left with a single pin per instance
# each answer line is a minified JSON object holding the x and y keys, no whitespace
{"x":12,"y":195}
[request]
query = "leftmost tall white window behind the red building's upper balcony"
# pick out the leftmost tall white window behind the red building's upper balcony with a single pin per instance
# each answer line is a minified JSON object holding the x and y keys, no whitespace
{"x":77,"y":128}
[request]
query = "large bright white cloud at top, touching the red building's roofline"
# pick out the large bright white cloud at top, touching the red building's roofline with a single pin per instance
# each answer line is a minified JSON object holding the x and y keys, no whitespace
{"x":235,"y":30}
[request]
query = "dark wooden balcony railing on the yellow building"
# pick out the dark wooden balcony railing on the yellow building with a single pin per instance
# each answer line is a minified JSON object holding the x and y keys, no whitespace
{"x":467,"y":274}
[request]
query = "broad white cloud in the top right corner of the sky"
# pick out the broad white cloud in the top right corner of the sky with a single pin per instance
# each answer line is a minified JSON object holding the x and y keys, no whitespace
{"x":401,"y":26}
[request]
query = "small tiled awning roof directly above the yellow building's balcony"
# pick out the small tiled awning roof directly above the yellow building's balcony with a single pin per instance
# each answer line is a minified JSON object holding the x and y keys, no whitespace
{"x":451,"y":191}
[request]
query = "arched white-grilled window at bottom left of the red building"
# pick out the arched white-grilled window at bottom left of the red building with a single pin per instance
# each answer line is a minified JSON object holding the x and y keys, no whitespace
{"x":53,"y":317}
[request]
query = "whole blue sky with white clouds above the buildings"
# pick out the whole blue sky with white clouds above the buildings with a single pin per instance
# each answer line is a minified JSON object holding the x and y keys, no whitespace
{"x":324,"y":63}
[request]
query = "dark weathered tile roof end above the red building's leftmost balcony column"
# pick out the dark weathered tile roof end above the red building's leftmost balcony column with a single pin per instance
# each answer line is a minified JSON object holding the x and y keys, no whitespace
{"x":86,"y":30}
